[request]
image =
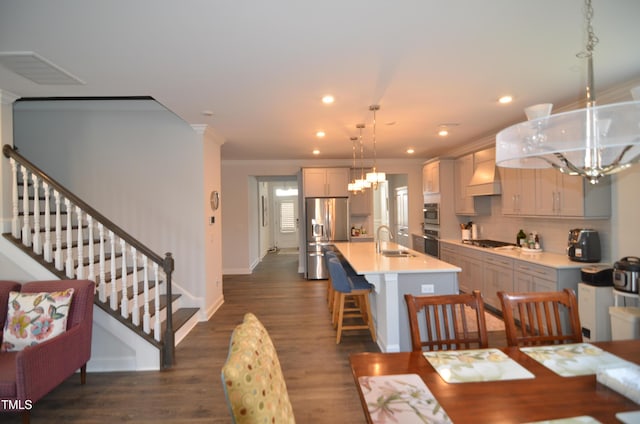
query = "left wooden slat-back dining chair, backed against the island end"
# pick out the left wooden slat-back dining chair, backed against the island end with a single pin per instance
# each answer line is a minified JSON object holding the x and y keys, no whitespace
{"x":443,"y":322}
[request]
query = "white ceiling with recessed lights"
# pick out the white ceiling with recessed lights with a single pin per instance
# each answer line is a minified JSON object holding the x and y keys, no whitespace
{"x":262,"y":66}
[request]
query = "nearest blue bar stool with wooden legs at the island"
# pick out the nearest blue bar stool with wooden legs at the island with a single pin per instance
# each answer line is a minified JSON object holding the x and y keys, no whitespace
{"x":345,"y":289}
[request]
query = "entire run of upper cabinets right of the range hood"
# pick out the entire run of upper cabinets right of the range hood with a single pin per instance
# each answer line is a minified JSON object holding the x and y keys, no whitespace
{"x":547,"y":192}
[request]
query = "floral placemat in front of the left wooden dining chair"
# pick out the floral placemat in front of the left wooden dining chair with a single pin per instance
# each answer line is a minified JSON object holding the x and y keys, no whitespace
{"x":464,"y":366}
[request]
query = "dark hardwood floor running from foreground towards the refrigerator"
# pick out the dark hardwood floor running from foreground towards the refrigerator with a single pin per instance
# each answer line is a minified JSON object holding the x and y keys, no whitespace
{"x":293,"y":310}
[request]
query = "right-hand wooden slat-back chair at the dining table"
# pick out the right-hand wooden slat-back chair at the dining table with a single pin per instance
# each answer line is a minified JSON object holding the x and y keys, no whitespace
{"x":541,"y":318}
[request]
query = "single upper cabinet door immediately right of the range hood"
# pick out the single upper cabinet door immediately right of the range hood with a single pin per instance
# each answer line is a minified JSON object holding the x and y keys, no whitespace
{"x":518,"y":191}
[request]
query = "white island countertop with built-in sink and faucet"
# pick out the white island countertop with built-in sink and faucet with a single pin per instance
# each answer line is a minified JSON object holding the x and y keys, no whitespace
{"x":363,"y":258}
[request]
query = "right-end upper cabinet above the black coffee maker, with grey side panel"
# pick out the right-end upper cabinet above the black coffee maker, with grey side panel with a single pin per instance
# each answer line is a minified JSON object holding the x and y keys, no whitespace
{"x":558,"y":194}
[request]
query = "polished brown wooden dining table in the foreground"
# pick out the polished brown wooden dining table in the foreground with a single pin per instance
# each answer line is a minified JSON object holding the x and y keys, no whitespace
{"x":544,"y":395}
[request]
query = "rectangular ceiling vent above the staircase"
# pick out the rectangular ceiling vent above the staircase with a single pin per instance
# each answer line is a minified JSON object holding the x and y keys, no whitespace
{"x":36,"y":68}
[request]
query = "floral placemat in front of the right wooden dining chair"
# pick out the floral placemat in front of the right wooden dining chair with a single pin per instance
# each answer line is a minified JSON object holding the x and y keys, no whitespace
{"x":570,"y":360}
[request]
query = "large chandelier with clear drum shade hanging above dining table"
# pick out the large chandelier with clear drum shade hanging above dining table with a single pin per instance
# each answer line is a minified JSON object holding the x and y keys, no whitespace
{"x":590,"y":142}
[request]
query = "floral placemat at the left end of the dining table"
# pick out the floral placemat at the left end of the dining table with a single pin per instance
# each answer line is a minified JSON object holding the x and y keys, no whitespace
{"x":402,"y":398}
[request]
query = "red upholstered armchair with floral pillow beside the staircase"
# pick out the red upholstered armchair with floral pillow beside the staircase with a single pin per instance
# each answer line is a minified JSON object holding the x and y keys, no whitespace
{"x":46,"y":338}
